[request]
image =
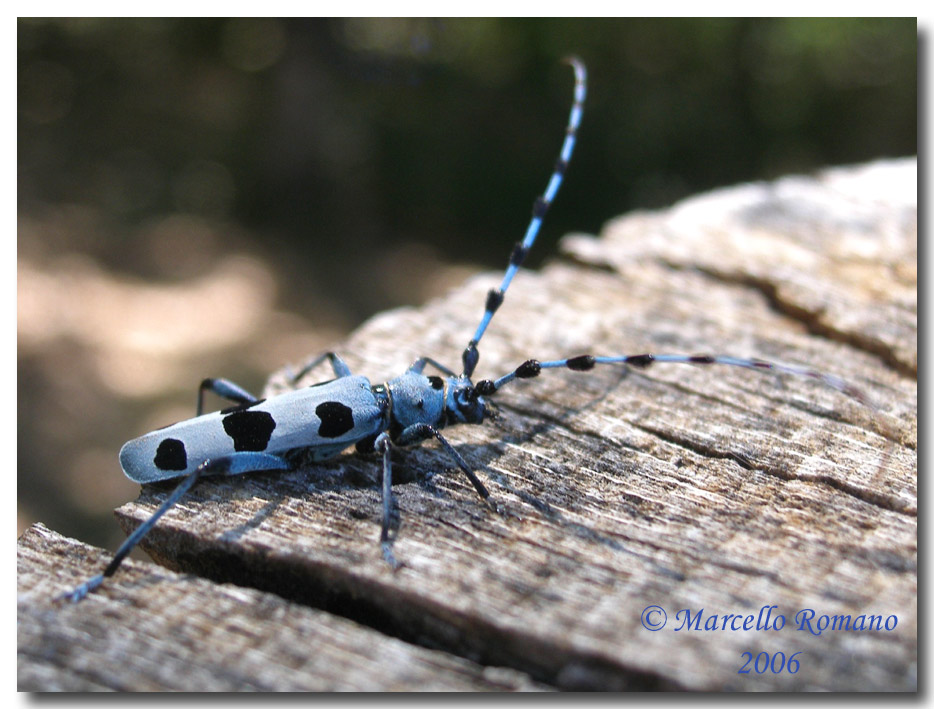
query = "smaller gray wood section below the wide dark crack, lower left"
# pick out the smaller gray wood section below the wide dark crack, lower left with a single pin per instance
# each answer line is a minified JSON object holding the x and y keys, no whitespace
{"x":156,"y":630}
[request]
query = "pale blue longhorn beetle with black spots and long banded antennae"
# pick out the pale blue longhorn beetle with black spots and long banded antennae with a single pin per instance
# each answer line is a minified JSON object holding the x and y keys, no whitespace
{"x":318,"y":422}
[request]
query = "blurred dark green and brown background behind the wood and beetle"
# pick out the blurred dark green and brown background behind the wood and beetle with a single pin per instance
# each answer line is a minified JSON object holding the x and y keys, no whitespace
{"x":219,"y":197}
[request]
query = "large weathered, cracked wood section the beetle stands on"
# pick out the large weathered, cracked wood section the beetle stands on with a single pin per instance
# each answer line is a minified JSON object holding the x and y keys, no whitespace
{"x":715,"y":490}
